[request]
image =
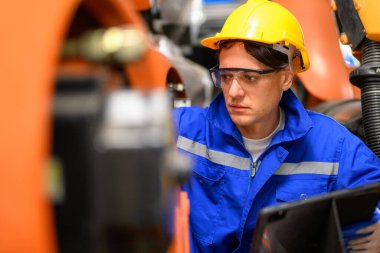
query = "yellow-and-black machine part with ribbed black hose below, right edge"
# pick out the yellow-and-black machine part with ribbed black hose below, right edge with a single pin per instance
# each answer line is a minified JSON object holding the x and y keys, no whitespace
{"x":358,"y":22}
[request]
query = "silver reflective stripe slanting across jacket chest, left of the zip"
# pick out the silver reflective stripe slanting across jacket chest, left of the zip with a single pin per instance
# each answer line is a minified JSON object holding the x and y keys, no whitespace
{"x":217,"y":157}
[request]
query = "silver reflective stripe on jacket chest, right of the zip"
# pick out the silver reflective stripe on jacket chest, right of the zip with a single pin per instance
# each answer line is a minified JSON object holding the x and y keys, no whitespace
{"x":321,"y":168}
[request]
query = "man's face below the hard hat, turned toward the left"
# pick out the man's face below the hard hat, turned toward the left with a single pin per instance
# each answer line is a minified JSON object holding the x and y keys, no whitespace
{"x":253,"y":107}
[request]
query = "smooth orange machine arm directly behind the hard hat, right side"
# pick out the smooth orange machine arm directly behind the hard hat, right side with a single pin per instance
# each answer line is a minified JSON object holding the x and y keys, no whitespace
{"x":328,"y":77}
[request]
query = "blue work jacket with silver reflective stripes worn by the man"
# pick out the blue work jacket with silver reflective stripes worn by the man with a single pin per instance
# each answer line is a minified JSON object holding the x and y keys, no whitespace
{"x":312,"y":155}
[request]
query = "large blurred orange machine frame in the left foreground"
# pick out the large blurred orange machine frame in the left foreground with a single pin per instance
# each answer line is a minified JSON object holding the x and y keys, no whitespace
{"x":32,"y":34}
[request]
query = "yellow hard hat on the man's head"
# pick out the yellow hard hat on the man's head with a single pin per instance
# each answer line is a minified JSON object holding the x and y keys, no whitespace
{"x":265,"y":22}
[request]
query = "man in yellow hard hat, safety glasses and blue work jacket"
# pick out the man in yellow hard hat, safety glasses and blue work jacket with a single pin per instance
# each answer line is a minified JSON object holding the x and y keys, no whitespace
{"x":255,"y":145}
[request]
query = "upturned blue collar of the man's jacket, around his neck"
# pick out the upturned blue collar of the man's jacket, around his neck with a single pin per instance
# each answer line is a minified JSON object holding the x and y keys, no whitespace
{"x":297,"y":122}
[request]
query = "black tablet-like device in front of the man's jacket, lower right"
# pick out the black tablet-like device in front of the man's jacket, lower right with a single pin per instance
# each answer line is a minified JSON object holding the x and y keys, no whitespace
{"x":314,"y":224}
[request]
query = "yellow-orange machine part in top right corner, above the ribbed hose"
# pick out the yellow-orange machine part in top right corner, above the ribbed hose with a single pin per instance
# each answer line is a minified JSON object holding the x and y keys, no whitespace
{"x":369,"y":13}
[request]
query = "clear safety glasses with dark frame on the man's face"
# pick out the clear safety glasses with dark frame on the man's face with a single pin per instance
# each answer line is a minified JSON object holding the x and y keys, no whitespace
{"x":247,"y":77}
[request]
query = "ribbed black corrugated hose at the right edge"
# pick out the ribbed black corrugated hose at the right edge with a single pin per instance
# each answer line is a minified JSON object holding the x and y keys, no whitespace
{"x":367,"y":78}
